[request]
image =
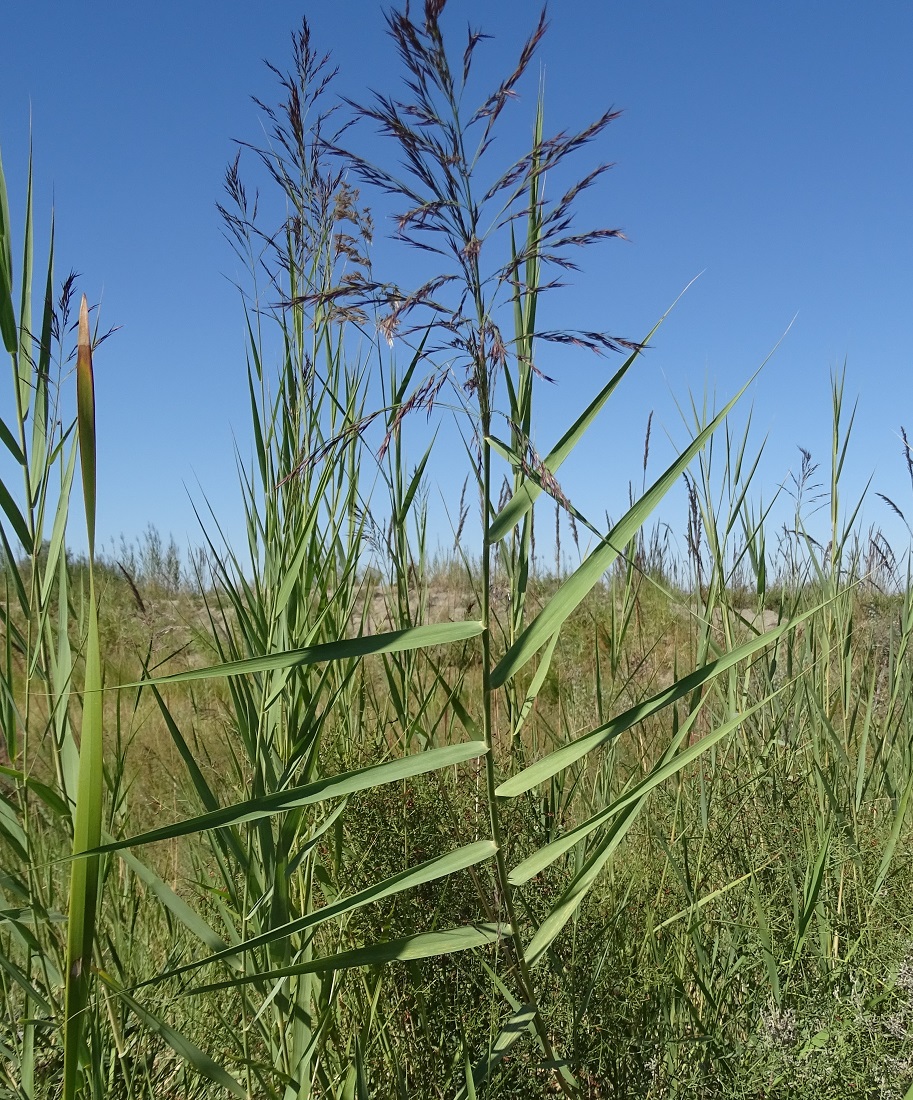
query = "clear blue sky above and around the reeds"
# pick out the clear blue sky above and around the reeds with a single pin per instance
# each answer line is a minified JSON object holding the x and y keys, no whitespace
{"x":767,"y":146}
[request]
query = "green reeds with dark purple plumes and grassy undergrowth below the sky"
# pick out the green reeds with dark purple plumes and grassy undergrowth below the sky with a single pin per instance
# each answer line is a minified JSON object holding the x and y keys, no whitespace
{"x":329,"y":817}
